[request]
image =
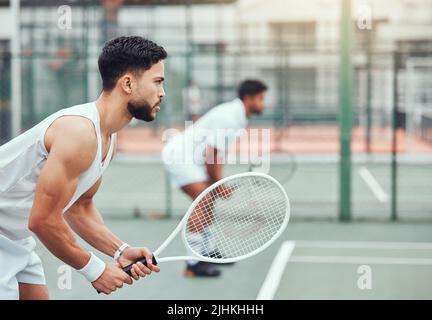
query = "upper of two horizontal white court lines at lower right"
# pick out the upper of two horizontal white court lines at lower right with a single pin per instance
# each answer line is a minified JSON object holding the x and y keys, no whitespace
{"x":364,"y":244}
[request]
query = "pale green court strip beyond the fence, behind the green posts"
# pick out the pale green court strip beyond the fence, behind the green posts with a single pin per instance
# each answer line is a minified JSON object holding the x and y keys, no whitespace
{"x":139,"y":186}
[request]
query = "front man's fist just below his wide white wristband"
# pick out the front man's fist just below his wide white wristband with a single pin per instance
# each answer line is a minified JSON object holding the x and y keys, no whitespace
{"x":111,"y":279}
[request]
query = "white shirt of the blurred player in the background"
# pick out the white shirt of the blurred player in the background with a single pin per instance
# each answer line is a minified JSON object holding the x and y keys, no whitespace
{"x":219,"y":128}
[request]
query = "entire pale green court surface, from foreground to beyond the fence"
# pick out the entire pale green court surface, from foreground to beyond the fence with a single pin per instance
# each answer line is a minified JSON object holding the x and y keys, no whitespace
{"x":317,"y":257}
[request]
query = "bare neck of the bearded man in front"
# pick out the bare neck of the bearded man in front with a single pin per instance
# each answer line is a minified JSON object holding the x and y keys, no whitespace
{"x":113,"y":113}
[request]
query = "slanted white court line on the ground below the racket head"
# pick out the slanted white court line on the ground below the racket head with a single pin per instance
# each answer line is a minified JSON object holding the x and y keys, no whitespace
{"x":276,"y":270}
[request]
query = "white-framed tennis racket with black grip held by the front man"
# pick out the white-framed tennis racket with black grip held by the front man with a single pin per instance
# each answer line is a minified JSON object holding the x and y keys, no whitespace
{"x":244,"y":214}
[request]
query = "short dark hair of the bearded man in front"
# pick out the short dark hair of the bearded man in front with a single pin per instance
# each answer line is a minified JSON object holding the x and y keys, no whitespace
{"x":125,"y":54}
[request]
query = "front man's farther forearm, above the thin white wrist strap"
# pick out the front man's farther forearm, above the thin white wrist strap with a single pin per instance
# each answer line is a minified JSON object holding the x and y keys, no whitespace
{"x":87,"y":222}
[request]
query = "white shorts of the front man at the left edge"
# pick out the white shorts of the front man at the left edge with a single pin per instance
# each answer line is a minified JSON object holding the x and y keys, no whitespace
{"x":18,"y":264}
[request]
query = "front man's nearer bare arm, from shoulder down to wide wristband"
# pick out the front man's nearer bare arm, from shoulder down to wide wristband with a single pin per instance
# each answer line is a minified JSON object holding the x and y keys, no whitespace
{"x":72,"y":148}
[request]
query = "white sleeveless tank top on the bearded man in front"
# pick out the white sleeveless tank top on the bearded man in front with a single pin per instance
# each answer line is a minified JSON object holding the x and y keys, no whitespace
{"x":21,"y":161}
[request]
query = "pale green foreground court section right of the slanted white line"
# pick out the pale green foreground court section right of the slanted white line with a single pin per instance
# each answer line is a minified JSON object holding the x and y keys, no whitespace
{"x":357,"y":270}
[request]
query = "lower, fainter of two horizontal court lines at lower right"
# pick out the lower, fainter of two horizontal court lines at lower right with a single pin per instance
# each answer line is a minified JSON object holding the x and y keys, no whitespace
{"x":361,"y":260}
